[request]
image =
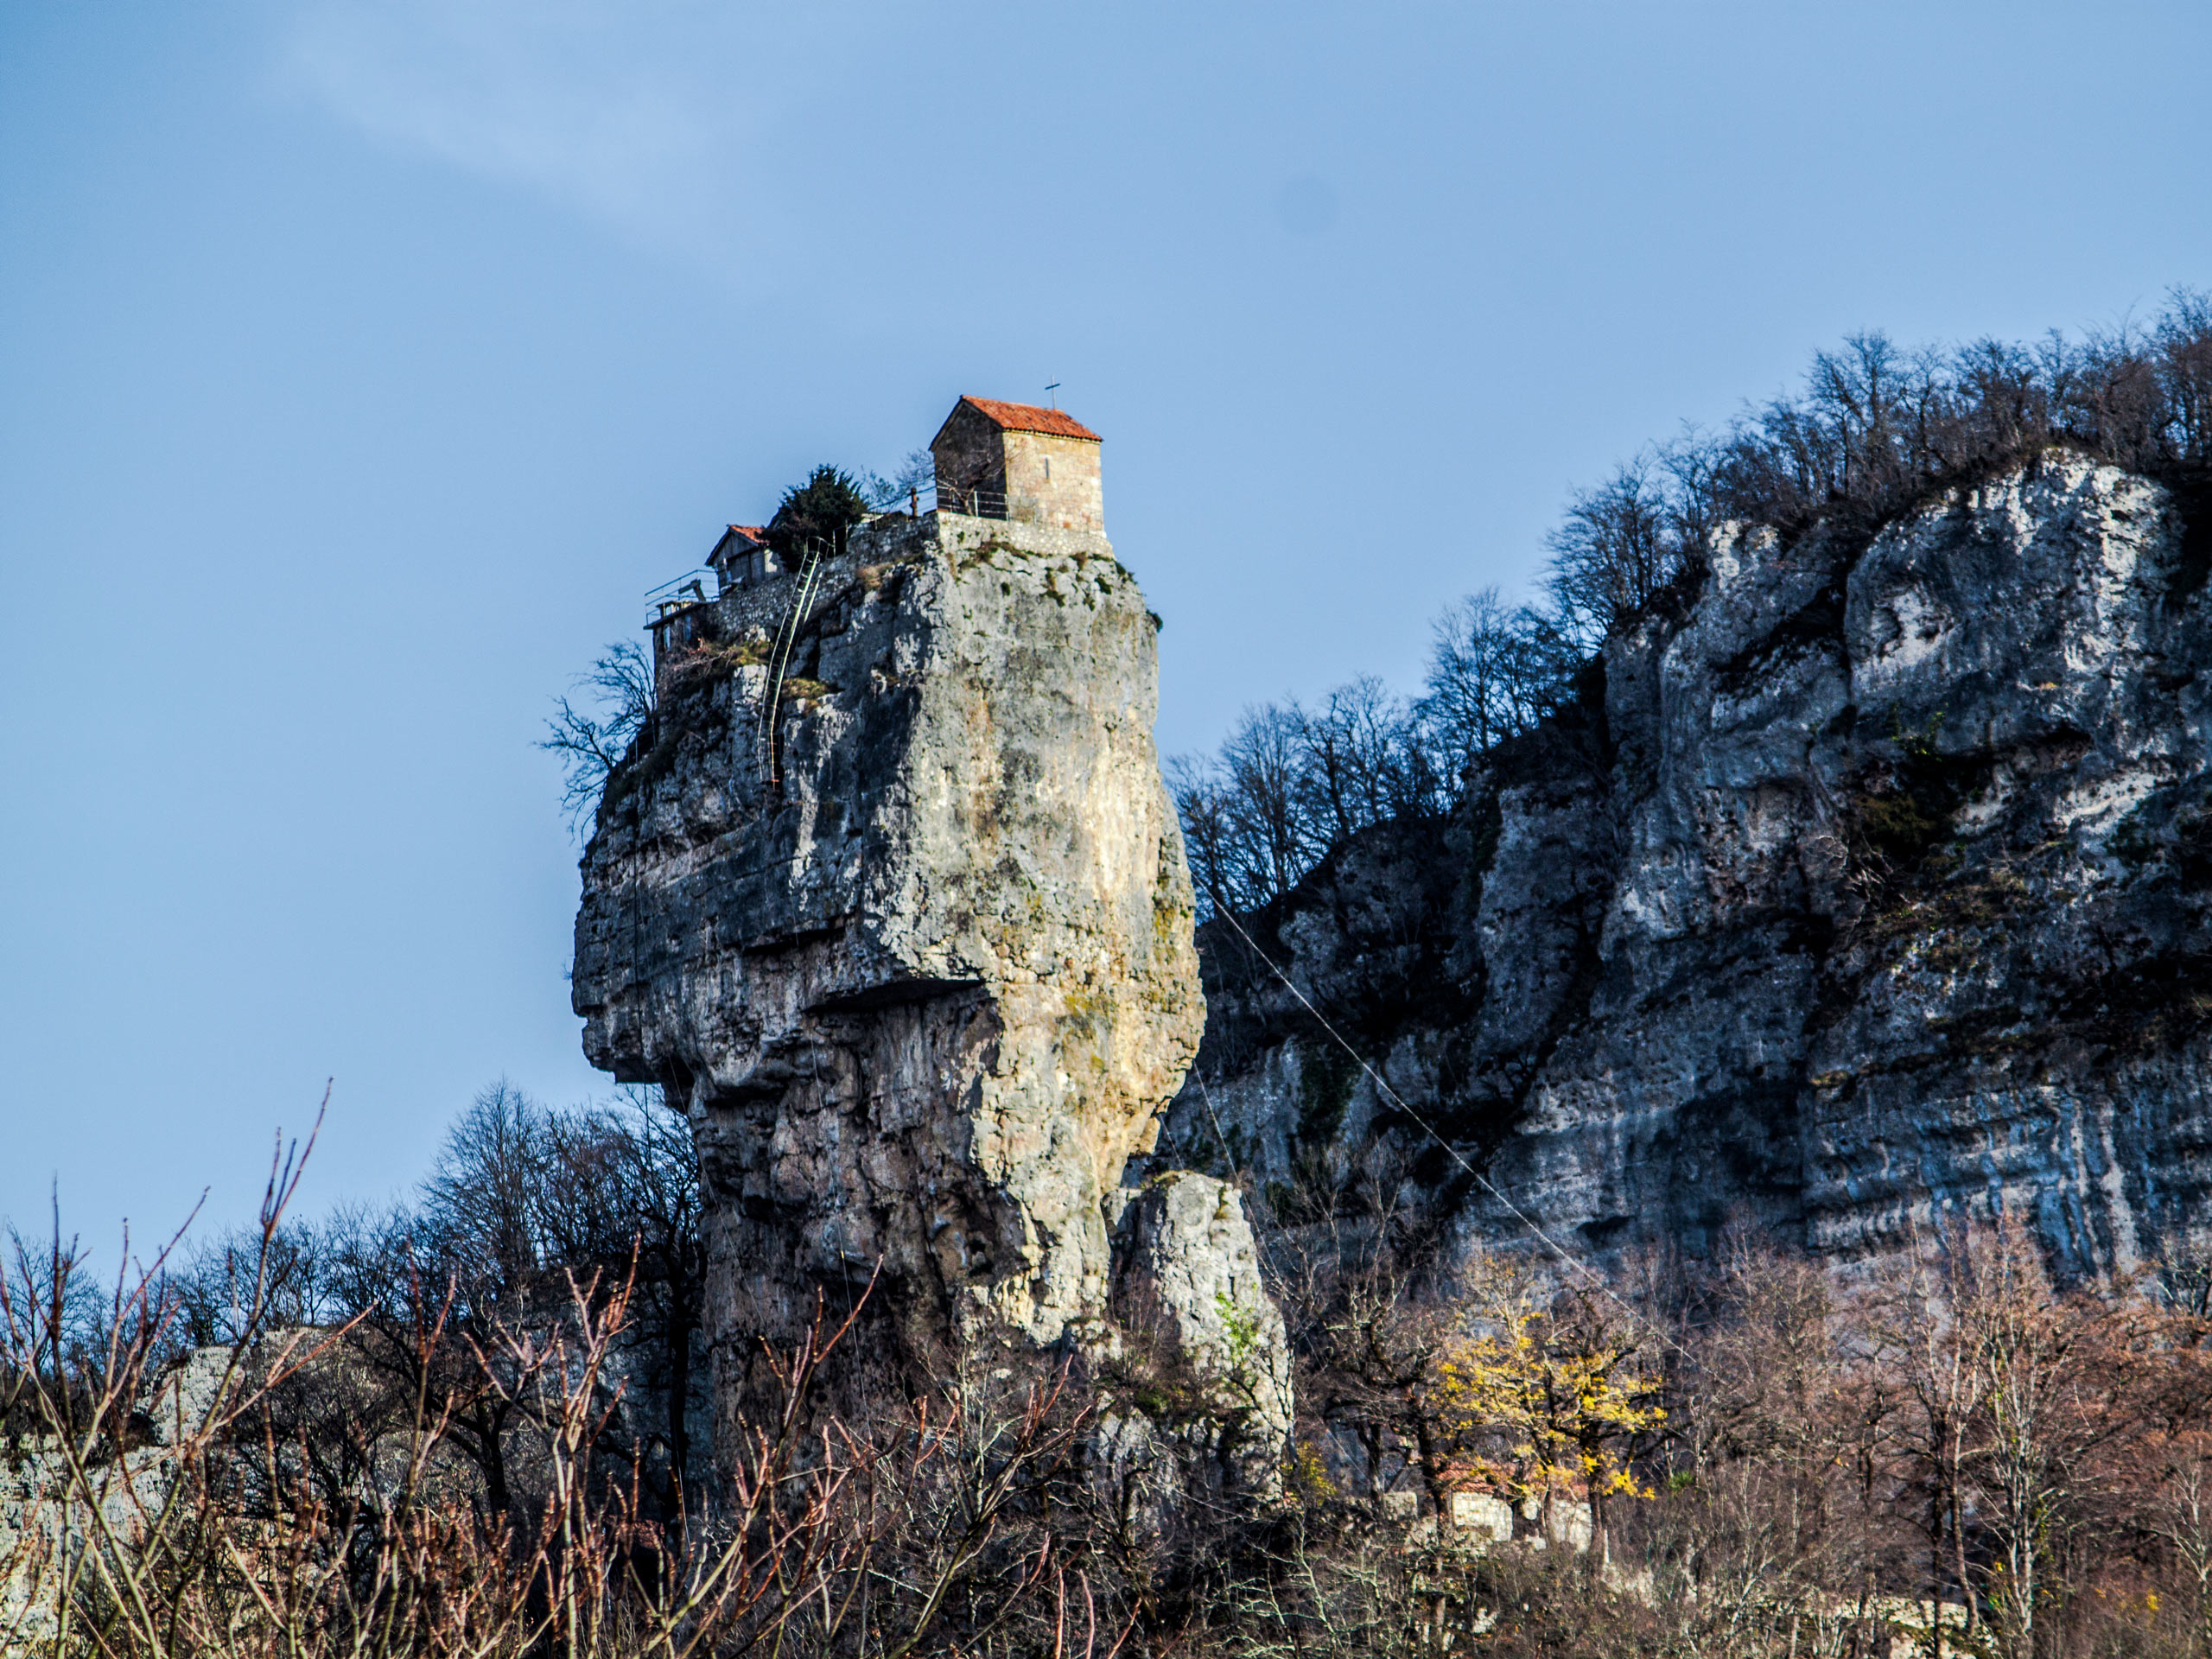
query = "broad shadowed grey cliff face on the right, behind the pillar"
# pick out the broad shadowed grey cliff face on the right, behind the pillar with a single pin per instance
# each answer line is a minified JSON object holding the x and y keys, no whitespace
{"x":1864,"y":895}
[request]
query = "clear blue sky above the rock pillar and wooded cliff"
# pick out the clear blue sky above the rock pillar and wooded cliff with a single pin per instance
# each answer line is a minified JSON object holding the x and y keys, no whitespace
{"x":362,"y":364}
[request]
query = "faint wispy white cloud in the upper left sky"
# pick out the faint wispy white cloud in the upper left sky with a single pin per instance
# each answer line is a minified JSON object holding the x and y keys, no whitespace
{"x":625,"y":112}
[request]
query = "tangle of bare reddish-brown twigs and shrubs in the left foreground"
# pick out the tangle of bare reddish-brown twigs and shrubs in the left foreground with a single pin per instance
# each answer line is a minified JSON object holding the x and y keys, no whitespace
{"x":315,"y":1492}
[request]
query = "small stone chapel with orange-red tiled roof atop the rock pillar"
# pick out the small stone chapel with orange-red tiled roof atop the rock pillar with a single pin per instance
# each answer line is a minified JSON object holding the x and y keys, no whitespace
{"x":1021,"y":463}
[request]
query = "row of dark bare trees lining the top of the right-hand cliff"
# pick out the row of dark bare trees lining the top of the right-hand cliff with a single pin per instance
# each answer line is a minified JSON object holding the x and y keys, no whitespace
{"x":1872,"y":432}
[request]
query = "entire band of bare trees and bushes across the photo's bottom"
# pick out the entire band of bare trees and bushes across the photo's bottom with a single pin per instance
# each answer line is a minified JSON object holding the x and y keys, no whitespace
{"x":435,"y":1434}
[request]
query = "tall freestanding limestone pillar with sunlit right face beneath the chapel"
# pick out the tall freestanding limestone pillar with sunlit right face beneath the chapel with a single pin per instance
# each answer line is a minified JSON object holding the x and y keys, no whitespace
{"x":912,"y":948}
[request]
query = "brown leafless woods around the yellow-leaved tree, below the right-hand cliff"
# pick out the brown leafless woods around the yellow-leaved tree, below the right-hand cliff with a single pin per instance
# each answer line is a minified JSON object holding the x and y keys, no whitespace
{"x":1945,"y":1454}
